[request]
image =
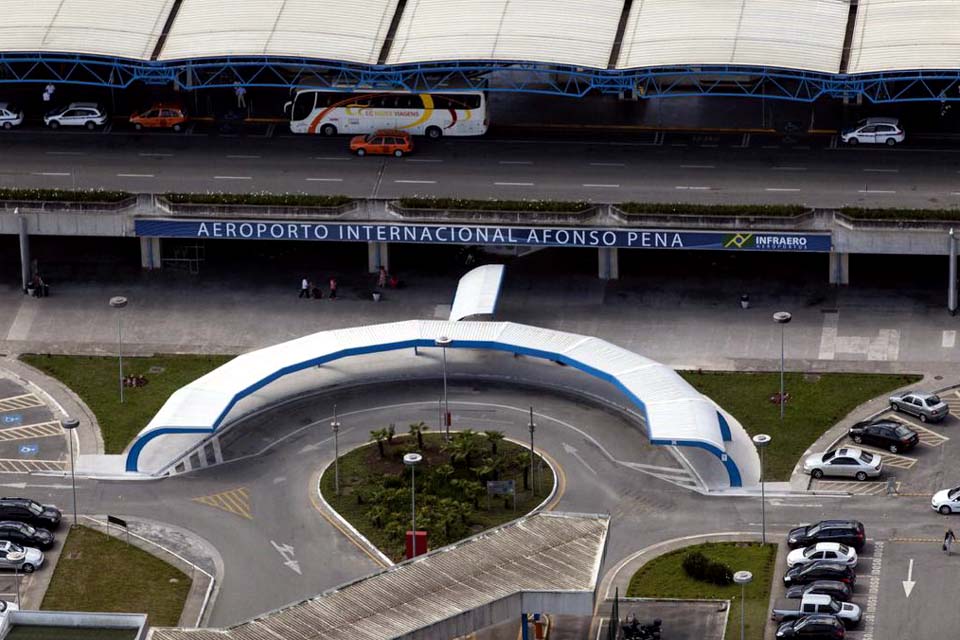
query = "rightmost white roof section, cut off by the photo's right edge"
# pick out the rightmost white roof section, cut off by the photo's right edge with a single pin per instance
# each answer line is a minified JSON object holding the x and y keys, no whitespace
{"x":897,"y":35}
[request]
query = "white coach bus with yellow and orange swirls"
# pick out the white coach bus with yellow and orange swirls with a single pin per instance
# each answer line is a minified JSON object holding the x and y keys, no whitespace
{"x":447,"y":113}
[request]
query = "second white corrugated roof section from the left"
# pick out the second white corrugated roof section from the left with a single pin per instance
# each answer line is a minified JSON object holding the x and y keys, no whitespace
{"x":322,"y":29}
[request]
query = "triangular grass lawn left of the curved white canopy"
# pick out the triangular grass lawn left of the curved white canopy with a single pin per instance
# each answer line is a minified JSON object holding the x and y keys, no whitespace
{"x":96,"y":380}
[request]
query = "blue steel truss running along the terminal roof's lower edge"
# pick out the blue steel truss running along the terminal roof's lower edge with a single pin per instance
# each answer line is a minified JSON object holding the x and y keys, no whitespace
{"x":523,"y":77}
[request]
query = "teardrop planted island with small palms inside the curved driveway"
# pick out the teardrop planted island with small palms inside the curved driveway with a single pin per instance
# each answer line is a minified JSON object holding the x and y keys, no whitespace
{"x":375,"y":491}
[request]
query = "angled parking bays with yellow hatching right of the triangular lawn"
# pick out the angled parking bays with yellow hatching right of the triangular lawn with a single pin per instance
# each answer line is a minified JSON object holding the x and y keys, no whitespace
{"x":917,"y":472}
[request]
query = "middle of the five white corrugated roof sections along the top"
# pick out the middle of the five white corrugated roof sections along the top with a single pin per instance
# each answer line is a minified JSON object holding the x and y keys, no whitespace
{"x":570,"y":32}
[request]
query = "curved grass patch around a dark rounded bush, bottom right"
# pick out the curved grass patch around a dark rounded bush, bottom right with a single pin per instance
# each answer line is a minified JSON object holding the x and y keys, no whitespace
{"x":664,"y":577}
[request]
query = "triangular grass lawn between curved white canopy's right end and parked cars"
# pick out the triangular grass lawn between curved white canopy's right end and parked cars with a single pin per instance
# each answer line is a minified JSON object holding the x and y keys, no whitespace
{"x":815,"y":403}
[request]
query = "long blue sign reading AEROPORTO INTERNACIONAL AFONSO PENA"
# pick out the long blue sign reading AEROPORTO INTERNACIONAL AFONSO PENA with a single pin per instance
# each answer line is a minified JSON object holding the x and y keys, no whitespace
{"x":486,"y":235}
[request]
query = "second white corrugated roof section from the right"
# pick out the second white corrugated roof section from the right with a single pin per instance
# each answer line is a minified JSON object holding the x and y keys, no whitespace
{"x":791,"y":34}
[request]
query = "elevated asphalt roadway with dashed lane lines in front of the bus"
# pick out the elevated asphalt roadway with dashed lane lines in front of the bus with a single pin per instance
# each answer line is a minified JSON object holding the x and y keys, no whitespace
{"x":641,"y":166}
